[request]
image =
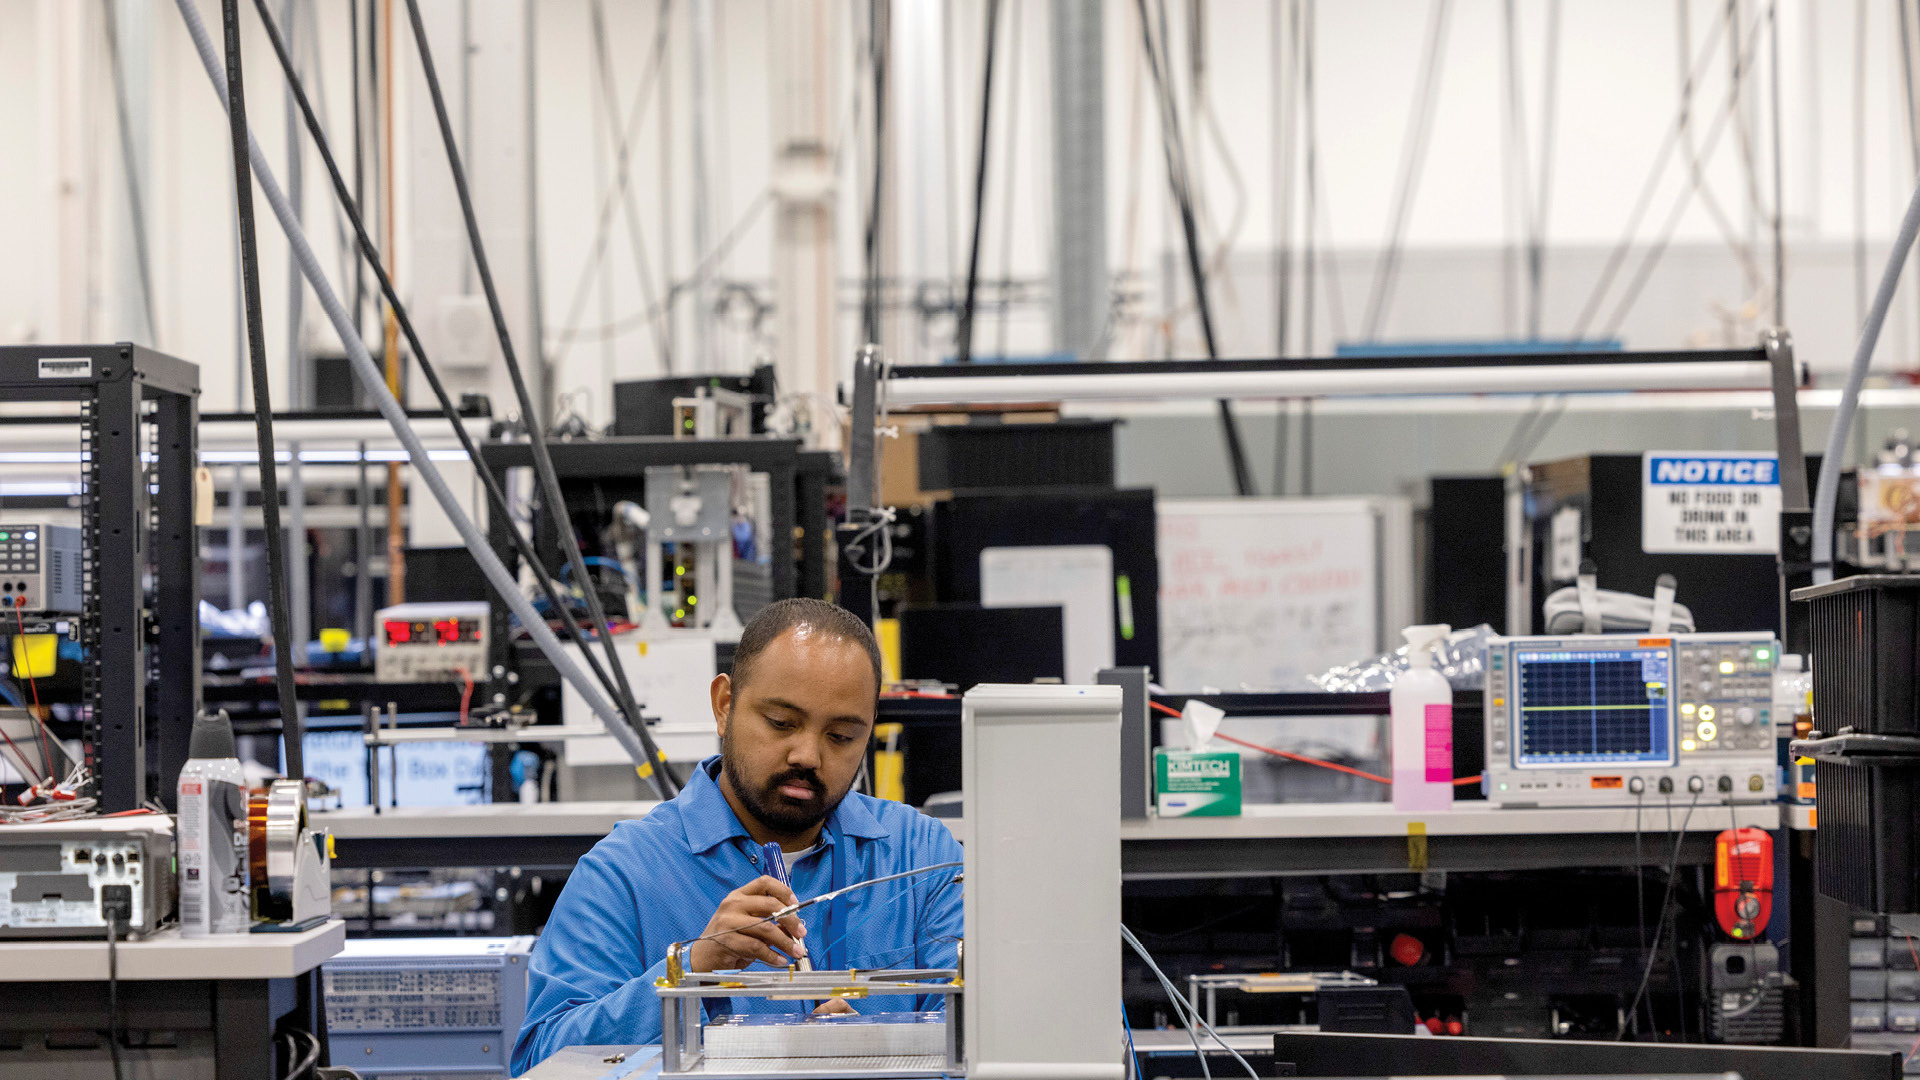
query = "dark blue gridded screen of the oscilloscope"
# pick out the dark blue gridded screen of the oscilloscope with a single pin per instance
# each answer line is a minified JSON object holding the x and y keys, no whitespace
{"x":1593,"y":708}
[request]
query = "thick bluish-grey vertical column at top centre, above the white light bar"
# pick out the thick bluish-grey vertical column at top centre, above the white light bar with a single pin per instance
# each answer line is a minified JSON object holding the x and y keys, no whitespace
{"x":1080,"y":178}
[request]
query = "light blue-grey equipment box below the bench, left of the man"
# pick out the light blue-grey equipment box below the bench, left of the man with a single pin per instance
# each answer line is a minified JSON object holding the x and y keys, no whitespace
{"x":431,"y":1008}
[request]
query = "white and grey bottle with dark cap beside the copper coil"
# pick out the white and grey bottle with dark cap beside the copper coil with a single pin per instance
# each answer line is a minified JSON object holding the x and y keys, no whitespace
{"x":214,"y":833}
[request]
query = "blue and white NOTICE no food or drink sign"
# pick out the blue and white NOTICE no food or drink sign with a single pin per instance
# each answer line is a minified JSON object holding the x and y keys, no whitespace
{"x":1710,"y":504}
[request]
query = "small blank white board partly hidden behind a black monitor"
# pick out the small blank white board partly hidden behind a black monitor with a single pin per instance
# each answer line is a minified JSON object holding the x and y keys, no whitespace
{"x":1078,"y":577}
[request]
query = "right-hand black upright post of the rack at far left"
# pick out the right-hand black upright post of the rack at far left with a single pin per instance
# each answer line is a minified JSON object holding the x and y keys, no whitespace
{"x":176,"y":589}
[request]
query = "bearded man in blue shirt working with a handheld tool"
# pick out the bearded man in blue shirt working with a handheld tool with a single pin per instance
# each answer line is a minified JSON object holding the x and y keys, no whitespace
{"x":794,"y":720}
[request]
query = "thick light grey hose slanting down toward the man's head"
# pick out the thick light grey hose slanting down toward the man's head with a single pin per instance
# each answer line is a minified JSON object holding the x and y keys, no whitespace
{"x":391,"y":410}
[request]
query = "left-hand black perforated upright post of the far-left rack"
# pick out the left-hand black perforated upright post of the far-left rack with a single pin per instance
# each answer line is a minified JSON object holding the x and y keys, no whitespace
{"x":120,"y":501}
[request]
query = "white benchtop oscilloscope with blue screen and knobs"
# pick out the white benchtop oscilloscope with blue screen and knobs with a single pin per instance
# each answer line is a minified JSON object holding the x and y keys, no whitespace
{"x":1612,"y":720}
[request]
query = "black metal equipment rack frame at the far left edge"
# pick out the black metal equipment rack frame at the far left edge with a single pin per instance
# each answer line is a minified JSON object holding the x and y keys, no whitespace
{"x":143,"y":666}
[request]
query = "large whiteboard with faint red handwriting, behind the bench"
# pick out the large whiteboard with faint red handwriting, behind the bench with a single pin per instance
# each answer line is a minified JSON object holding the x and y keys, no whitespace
{"x":1260,"y":593}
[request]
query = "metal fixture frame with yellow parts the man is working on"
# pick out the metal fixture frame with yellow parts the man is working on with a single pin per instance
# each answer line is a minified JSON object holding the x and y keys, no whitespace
{"x":681,"y":993}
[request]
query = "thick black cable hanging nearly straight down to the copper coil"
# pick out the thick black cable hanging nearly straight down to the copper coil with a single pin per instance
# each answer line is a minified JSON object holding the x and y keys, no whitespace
{"x":293,"y":725}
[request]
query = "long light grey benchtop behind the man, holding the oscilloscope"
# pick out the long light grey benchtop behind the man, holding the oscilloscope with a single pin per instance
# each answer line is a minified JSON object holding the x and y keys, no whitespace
{"x":1266,"y":841}
